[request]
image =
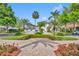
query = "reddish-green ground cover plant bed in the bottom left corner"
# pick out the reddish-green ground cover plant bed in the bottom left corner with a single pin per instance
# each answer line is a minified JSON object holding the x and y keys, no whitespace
{"x":9,"y":50}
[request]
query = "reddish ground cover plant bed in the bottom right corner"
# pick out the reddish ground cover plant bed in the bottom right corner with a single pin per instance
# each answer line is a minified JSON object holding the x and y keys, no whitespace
{"x":67,"y":50}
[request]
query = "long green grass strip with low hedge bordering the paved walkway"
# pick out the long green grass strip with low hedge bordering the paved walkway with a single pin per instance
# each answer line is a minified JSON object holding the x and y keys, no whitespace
{"x":25,"y":37}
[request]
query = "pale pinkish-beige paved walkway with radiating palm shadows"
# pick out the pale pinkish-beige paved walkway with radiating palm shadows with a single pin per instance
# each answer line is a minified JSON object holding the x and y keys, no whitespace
{"x":37,"y":46}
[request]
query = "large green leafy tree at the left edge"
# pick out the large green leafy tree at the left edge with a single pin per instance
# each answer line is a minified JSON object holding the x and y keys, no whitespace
{"x":7,"y":17}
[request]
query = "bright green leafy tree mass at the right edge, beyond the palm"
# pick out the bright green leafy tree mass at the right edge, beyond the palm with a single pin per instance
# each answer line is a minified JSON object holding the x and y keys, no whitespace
{"x":70,"y":15}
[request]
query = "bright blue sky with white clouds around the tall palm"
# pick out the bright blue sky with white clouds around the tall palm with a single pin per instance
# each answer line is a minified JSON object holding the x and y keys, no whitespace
{"x":25,"y":10}
